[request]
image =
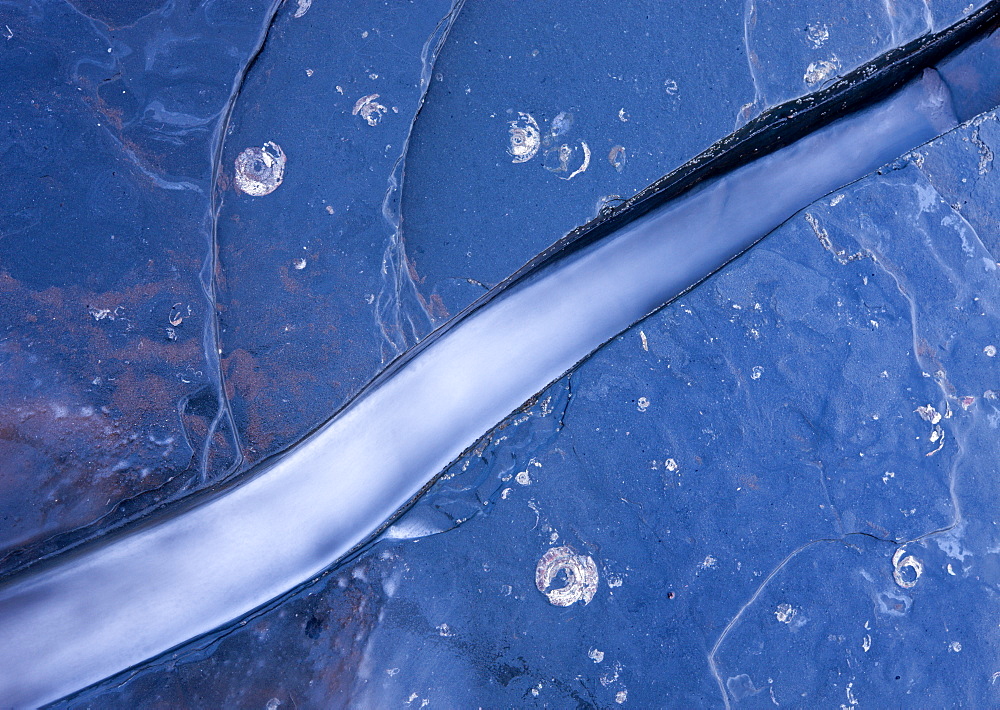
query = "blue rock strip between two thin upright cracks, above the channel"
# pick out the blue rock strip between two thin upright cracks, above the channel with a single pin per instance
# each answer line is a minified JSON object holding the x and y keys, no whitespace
{"x":303,"y":271}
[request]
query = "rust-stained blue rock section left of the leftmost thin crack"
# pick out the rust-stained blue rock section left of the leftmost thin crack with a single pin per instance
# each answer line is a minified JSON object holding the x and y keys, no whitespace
{"x":111,"y":395}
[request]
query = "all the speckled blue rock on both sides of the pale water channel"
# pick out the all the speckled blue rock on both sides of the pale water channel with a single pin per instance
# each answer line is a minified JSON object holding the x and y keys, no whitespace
{"x":784,"y":481}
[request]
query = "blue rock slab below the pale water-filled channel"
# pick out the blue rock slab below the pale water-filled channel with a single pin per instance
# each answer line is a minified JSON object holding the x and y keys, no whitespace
{"x":784,"y":481}
